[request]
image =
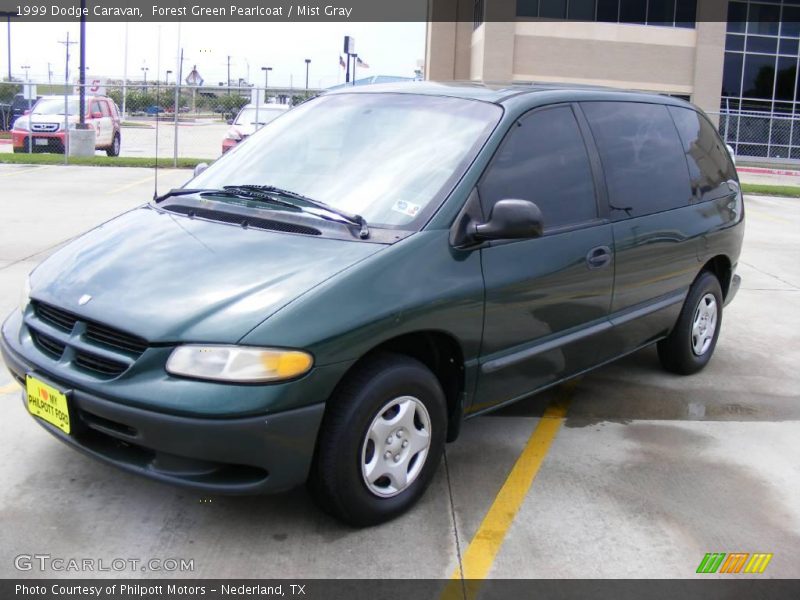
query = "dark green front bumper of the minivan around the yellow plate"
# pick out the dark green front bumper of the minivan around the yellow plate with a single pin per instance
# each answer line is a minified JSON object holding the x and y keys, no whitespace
{"x":245,"y":455}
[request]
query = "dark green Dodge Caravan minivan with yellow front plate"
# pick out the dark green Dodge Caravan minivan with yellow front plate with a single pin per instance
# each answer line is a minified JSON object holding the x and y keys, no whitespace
{"x":328,"y":301}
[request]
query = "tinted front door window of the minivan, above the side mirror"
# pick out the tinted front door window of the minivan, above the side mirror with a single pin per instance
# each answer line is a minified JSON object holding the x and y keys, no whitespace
{"x":544,"y":159}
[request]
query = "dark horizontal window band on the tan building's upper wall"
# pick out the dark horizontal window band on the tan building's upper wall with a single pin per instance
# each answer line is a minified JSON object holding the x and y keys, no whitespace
{"x":662,"y":13}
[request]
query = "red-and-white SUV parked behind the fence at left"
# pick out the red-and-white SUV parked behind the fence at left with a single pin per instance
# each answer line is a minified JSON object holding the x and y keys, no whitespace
{"x":43,"y":129}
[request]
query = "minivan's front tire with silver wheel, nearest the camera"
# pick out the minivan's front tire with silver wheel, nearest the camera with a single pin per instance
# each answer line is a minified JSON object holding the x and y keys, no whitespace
{"x":386,"y":396}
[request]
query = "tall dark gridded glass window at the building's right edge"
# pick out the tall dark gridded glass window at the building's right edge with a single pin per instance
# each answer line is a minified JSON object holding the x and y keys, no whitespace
{"x":760,"y":109}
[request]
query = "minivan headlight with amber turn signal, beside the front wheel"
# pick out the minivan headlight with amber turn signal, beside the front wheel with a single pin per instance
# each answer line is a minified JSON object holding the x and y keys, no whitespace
{"x":238,"y":363}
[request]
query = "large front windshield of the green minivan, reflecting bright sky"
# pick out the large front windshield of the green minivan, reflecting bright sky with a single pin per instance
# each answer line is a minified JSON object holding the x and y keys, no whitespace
{"x":390,"y":158}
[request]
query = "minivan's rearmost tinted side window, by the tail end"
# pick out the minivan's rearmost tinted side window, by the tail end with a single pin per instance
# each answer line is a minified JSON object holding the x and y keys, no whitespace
{"x":710,"y":166}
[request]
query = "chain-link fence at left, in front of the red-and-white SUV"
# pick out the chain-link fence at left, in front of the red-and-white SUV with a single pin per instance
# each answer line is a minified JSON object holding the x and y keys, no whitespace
{"x":175,"y":123}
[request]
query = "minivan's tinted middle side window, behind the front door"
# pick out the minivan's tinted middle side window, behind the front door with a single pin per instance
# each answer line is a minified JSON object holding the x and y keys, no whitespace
{"x":642,"y":156}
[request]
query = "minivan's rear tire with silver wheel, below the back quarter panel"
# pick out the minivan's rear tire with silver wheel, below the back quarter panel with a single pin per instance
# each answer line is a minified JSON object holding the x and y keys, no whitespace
{"x":690,"y":345}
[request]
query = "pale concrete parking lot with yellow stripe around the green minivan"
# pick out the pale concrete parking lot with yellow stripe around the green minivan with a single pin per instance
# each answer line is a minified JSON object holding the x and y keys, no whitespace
{"x":626,"y":472}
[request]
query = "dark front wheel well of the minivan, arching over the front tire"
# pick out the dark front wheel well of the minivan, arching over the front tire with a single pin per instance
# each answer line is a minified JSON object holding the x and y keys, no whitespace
{"x":441,"y":353}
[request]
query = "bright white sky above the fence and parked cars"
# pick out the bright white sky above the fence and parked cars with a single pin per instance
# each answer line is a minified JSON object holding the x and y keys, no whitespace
{"x":389,"y":49}
